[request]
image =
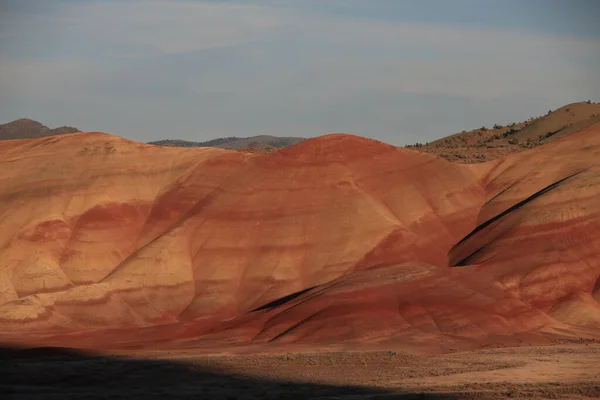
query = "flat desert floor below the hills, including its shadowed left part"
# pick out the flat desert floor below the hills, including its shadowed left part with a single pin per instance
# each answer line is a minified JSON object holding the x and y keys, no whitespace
{"x":561,"y":371}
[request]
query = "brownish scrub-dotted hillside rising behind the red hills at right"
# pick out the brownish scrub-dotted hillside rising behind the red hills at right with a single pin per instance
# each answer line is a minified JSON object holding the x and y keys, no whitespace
{"x":490,"y":143}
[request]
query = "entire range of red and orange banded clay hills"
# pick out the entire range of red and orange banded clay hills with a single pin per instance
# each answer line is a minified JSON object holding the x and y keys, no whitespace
{"x":335,"y":239}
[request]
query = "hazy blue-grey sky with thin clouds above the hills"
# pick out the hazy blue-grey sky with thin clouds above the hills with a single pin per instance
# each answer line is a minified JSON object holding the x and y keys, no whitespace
{"x":400,"y":71}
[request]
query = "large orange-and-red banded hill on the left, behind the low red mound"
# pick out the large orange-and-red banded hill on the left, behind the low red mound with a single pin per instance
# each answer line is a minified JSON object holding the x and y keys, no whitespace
{"x":101,"y":232}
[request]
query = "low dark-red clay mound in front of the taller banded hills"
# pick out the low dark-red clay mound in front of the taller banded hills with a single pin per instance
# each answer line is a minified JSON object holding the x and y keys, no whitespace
{"x":411,"y":303}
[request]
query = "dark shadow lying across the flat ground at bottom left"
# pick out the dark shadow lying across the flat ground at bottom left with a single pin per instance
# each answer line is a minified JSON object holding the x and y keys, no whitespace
{"x":56,"y":373}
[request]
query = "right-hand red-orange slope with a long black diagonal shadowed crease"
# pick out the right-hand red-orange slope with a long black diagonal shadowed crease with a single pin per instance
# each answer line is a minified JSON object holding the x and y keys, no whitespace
{"x":539,"y":230}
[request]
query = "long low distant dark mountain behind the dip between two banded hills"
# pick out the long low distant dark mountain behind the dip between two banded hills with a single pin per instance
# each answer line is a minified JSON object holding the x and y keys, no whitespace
{"x":235,"y":143}
